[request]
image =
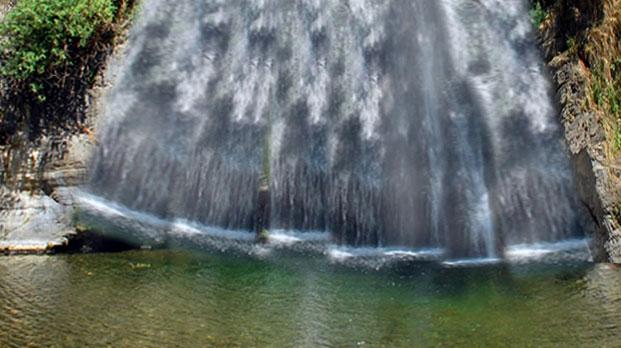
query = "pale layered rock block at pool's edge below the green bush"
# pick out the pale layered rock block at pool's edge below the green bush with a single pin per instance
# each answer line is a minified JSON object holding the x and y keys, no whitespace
{"x":35,"y":213}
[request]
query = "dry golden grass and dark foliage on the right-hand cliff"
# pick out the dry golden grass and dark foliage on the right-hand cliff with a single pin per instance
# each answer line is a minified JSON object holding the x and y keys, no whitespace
{"x":586,"y":36}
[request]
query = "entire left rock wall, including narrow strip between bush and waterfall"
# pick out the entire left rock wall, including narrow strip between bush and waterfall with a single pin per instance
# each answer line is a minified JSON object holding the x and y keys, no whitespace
{"x":38,"y":170}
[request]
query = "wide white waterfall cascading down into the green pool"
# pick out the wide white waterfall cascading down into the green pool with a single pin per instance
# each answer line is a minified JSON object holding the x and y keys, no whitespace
{"x":385,"y":122}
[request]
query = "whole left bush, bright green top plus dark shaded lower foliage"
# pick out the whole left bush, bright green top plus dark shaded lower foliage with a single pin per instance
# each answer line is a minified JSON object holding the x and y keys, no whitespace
{"x":50,"y":52}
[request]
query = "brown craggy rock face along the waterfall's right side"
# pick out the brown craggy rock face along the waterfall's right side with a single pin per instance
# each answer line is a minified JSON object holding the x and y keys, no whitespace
{"x":570,"y":35}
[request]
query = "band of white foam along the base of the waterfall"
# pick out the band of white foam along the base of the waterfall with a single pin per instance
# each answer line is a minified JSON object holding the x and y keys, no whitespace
{"x":120,"y":222}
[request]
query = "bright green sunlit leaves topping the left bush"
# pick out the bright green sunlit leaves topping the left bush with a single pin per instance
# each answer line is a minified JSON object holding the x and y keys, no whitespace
{"x":38,"y":35}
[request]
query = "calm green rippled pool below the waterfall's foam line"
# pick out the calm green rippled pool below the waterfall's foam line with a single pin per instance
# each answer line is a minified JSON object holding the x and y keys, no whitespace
{"x":183,"y":299}
